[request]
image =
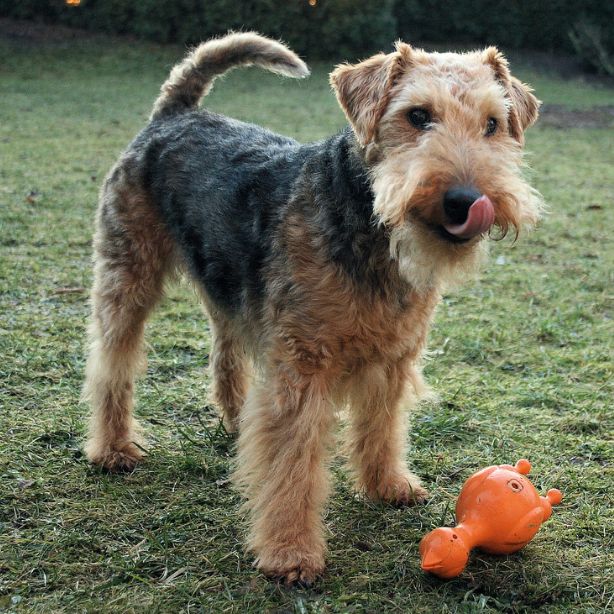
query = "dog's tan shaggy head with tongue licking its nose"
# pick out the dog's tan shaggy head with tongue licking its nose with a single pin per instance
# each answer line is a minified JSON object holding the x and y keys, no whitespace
{"x":443,"y":135}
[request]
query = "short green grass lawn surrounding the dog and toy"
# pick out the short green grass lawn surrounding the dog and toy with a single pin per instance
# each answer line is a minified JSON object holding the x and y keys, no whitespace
{"x":521,"y":358}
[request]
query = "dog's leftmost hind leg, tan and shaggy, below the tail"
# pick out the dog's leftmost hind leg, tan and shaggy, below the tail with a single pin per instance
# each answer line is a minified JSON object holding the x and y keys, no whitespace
{"x":131,"y":255}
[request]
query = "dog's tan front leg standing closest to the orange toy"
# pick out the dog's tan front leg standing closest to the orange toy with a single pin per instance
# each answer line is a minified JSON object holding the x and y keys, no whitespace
{"x":377,"y":432}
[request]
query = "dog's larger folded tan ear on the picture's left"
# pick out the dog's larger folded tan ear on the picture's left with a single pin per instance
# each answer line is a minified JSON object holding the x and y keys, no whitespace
{"x":363,"y":90}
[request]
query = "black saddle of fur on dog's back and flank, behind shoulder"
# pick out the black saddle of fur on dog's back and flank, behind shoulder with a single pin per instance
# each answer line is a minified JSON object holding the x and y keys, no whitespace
{"x":220,"y":187}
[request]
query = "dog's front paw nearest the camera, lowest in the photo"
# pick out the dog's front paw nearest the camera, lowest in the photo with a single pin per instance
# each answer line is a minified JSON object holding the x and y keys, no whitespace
{"x":291,"y":567}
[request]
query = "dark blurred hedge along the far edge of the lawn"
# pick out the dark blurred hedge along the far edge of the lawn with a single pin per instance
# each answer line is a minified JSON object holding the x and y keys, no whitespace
{"x":348,"y":29}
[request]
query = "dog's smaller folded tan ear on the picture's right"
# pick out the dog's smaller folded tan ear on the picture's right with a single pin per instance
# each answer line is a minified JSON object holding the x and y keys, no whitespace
{"x":524,"y":106}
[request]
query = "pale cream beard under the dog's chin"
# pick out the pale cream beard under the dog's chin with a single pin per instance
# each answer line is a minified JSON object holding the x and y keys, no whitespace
{"x":427,"y":263}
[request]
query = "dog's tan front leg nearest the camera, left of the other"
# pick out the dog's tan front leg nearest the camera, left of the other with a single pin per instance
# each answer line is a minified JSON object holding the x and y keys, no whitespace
{"x":282,"y":444}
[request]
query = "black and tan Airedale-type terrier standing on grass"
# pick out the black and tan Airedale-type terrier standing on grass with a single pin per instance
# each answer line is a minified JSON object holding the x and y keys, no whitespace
{"x":320,"y":265}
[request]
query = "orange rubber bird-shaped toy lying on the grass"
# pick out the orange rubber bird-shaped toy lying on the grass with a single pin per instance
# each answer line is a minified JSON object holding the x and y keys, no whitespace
{"x":498,"y":510}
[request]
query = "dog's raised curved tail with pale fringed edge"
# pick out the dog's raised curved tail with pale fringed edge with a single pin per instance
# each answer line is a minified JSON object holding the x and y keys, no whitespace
{"x":192,"y":78}
